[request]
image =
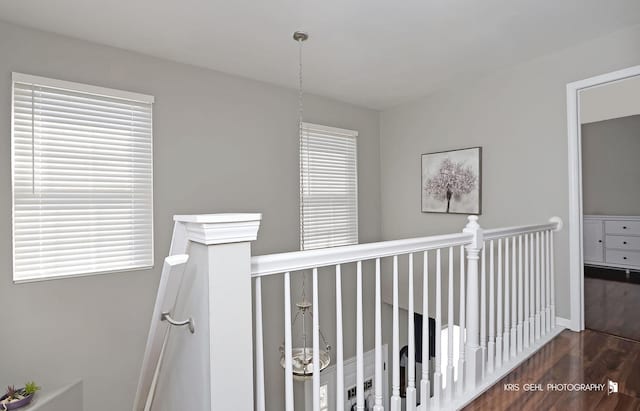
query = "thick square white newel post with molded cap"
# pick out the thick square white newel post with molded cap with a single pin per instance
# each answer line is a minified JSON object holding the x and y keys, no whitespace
{"x":221,"y":247}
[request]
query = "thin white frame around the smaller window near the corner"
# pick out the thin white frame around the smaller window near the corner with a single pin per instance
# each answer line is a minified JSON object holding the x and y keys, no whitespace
{"x":336,"y":131}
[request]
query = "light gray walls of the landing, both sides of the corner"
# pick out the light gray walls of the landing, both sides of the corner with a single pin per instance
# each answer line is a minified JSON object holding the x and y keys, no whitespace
{"x":222,"y":143}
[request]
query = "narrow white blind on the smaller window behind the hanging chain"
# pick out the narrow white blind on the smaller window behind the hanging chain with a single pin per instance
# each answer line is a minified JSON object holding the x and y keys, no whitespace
{"x":328,"y":187}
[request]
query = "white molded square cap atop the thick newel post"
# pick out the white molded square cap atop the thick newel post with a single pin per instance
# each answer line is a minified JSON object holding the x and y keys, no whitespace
{"x":223,"y":228}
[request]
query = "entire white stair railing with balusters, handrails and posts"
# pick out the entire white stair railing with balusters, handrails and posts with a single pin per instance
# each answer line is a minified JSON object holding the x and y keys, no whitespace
{"x":500,"y":279}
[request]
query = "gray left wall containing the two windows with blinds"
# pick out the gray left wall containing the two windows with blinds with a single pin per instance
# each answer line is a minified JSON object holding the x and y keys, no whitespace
{"x":221,"y":143}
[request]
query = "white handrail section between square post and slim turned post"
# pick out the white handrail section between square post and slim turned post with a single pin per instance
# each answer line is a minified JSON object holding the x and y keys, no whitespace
{"x":264,"y":265}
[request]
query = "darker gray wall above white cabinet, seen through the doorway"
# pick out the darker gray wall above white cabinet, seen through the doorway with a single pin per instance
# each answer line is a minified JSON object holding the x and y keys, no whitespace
{"x":611,"y":166}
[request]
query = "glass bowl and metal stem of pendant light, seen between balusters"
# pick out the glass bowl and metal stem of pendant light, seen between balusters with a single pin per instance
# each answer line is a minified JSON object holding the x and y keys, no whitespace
{"x":302,"y":353}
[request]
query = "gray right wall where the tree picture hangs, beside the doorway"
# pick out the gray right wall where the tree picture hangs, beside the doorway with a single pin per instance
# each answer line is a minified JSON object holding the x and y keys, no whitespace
{"x":518,"y":116}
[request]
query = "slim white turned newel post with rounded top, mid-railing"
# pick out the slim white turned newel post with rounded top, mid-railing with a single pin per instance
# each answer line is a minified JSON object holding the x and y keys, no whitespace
{"x":473,"y":351}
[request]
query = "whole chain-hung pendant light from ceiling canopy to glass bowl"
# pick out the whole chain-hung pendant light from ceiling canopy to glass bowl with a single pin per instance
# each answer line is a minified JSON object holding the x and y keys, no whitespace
{"x":302,"y":353}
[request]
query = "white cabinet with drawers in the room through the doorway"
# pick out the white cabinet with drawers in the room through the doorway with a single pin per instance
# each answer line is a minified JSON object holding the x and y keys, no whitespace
{"x":612,"y":241}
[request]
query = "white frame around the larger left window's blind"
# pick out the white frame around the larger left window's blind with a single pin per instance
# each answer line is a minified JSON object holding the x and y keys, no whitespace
{"x":22,"y":78}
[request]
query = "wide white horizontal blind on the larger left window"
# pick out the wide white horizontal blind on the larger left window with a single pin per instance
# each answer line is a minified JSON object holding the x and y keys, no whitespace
{"x":81,"y":179}
